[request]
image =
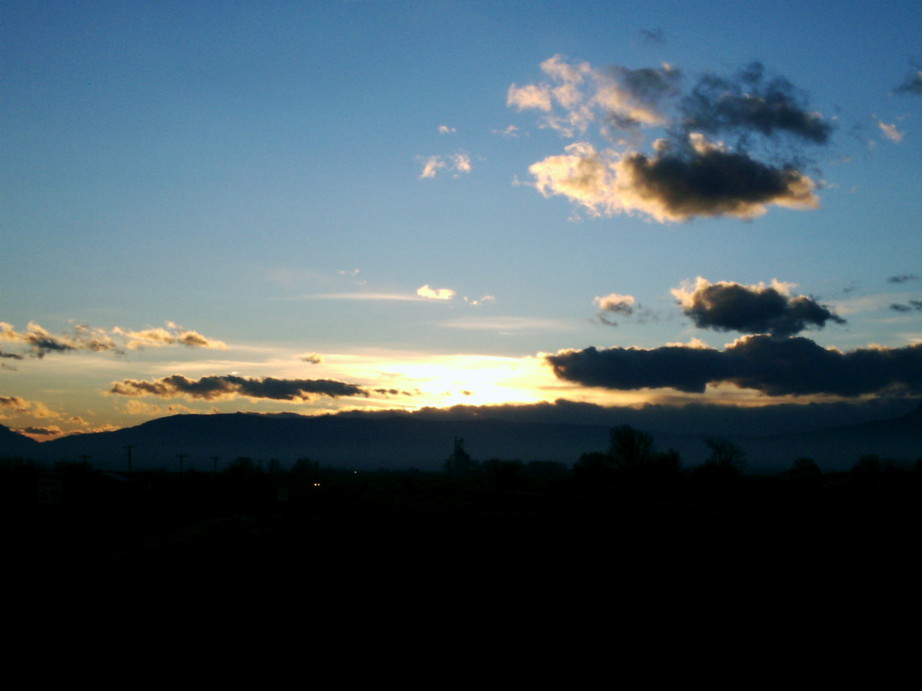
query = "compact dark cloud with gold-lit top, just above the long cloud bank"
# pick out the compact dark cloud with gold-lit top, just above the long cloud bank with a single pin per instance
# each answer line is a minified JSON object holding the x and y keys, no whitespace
{"x":726,"y":306}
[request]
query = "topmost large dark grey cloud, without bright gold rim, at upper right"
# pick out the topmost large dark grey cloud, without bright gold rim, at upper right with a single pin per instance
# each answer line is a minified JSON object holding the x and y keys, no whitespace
{"x":750,"y":102}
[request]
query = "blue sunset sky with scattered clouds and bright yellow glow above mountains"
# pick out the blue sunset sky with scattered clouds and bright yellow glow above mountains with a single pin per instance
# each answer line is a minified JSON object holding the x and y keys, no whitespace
{"x":312,"y":207}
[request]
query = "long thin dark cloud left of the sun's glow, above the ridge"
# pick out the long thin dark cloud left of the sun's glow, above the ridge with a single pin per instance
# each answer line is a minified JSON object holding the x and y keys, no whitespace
{"x":231,"y":386}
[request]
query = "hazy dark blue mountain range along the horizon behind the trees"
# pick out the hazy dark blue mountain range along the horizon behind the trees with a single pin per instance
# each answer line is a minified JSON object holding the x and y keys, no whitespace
{"x":408,"y":440}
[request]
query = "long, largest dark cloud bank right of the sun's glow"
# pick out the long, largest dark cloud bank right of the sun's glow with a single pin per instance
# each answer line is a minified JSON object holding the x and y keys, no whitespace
{"x":794,"y":366}
